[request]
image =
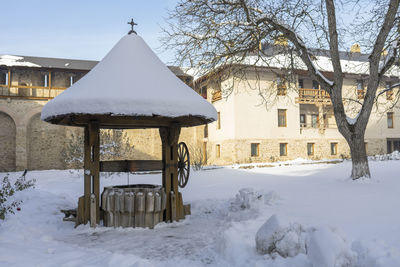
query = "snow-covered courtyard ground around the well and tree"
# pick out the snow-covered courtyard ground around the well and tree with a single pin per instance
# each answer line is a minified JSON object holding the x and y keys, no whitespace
{"x":364,"y":215}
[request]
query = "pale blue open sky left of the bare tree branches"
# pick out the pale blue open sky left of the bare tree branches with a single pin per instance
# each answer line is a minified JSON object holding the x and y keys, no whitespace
{"x":85,"y":29}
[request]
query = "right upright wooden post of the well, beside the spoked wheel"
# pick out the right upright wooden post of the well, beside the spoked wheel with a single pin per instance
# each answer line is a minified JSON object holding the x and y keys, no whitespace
{"x":169,"y":138}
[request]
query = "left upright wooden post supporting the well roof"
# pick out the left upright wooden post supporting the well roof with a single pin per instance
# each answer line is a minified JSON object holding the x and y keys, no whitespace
{"x":92,"y":170}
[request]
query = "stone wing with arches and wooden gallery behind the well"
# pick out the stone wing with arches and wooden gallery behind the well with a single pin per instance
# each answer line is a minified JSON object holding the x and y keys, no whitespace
{"x":26,"y":85}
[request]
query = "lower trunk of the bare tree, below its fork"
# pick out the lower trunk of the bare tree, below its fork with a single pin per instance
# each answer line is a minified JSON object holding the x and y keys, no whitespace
{"x":360,"y":167}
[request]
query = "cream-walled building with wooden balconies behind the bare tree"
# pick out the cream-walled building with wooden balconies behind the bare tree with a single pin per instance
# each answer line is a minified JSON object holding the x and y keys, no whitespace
{"x":274,"y":114}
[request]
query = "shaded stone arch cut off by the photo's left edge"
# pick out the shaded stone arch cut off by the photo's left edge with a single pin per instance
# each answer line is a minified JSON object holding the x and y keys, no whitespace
{"x":7,"y":143}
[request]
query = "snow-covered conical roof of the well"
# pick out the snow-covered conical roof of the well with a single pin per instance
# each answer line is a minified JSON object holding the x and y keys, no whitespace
{"x":130,"y":85}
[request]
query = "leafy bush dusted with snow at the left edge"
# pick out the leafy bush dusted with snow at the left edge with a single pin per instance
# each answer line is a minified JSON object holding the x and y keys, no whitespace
{"x":7,"y":190}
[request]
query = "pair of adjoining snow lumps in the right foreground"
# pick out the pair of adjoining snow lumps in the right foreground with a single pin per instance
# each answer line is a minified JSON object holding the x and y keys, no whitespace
{"x":323,"y":247}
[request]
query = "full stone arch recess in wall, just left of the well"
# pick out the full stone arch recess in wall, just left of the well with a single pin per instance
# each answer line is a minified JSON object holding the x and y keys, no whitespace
{"x":45,"y":144}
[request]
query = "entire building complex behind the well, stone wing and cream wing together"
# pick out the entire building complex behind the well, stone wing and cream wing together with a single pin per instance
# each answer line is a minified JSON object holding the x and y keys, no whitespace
{"x":271,"y":115}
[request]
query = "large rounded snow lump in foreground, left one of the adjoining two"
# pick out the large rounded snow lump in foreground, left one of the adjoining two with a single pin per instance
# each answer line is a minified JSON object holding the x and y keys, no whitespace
{"x":279,"y":235}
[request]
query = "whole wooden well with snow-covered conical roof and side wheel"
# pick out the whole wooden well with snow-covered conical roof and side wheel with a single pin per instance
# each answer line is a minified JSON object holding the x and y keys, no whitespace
{"x":131,"y":89}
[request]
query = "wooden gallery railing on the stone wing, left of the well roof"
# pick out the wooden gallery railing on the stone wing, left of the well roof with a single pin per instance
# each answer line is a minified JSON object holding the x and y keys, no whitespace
{"x":30,"y":92}
